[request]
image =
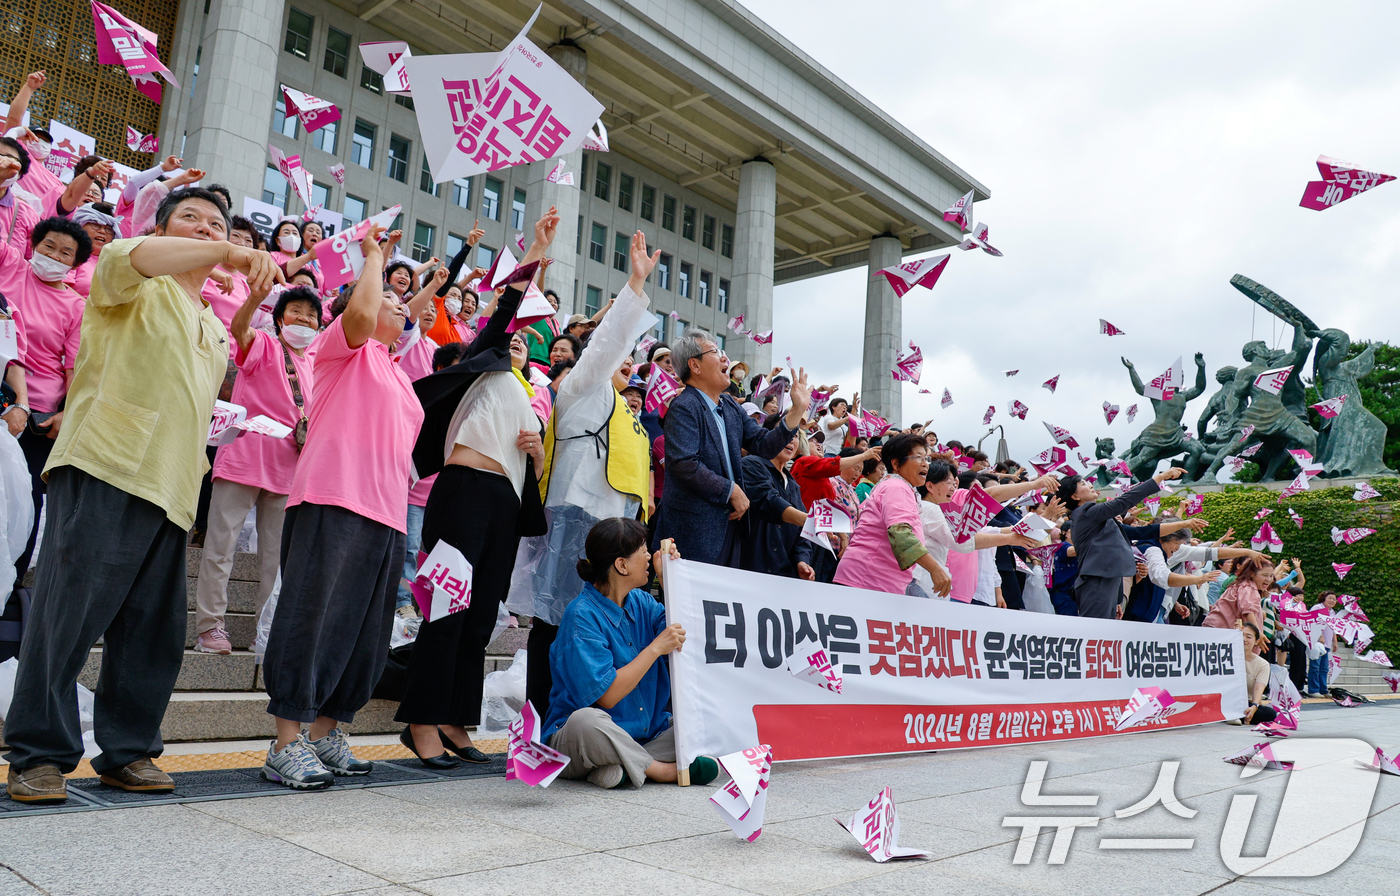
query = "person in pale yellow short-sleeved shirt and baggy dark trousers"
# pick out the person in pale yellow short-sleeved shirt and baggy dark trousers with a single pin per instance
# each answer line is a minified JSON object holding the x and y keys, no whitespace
{"x":124,"y":481}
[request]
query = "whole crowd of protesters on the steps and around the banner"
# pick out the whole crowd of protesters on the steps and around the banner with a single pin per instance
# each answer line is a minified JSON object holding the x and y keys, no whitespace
{"x":421,"y":415}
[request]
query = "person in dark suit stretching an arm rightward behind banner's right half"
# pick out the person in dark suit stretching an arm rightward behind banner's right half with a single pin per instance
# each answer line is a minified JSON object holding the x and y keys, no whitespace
{"x":1104,"y":554}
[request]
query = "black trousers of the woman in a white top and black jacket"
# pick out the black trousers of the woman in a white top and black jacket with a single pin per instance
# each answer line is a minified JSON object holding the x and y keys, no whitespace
{"x":477,"y":513}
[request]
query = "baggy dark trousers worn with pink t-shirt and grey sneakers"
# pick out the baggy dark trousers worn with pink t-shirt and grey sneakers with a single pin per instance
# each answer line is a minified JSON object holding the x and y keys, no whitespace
{"x":330,"y":638}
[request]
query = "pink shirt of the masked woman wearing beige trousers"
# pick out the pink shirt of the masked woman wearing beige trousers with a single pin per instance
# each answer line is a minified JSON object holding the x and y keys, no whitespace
{"x":255,"y":460}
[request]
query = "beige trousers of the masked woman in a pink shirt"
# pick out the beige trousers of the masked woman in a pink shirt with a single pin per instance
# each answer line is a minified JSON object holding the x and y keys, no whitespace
{"x":229,"y":507}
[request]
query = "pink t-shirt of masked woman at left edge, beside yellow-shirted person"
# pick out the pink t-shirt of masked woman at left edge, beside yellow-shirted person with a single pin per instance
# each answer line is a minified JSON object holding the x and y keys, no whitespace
{"x":50,"y":320}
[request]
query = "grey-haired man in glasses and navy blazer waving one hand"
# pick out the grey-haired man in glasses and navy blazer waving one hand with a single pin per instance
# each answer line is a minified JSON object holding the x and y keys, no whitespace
{"x":703,"y":502}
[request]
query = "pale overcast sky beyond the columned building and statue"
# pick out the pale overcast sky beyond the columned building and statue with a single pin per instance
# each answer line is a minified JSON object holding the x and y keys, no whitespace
{"x":1137,"y":159}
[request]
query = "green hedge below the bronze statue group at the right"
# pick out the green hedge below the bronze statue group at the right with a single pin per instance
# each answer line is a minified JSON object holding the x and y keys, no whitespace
{"x":1375,"y":579}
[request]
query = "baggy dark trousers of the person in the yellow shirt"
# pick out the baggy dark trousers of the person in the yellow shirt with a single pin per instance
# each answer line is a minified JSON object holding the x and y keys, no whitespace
{"x":113,"y":568}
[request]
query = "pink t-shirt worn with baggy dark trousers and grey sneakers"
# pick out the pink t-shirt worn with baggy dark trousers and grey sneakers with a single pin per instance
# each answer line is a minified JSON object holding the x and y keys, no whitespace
{"x":363,"y":426}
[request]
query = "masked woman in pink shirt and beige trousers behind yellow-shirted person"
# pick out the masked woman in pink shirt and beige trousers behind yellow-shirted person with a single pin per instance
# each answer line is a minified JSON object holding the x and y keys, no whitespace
{"x":275,"y":380}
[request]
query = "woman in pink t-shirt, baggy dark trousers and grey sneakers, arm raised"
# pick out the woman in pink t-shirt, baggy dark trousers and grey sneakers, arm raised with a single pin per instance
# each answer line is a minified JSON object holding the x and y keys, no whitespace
{"x":344,"y":538}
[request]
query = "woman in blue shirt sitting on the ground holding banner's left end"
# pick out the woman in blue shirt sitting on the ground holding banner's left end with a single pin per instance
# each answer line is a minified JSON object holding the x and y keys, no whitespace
{"x":610,"y":706}
